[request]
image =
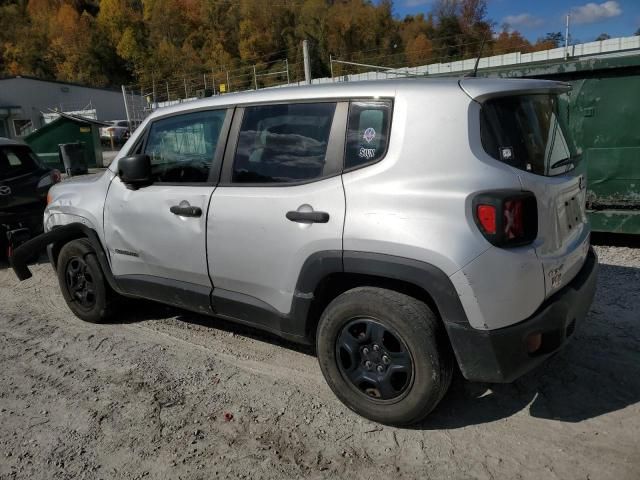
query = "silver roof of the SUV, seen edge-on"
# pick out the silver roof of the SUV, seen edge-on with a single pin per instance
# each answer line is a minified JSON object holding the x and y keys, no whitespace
{"x":383,"y":88}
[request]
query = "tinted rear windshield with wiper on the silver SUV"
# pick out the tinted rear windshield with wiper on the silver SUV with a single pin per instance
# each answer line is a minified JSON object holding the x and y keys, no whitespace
{"x":529,"y":132}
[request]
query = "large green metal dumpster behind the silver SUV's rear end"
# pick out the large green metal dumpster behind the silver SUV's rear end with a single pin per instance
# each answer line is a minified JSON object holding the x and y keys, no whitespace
{"x":604,"y":108}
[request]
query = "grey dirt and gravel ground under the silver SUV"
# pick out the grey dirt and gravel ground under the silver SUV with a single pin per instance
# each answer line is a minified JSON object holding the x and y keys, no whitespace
{"x":146,"y":398}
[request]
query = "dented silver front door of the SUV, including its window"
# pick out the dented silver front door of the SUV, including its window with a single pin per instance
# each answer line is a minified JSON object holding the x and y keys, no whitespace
{"x":150,"y":239}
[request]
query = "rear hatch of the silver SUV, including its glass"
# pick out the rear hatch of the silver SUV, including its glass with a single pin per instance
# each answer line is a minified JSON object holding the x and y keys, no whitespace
{"x":525,"y":127}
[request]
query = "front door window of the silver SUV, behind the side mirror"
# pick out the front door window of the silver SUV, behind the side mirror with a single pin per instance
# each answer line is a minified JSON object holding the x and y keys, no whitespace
{"x":182,"y":147}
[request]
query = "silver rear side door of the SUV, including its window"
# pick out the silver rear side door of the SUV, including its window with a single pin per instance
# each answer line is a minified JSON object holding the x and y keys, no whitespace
{"x":280,"y":201}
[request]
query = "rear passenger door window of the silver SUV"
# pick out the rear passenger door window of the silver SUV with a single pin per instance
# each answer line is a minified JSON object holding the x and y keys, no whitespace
{"x":283,"y":143}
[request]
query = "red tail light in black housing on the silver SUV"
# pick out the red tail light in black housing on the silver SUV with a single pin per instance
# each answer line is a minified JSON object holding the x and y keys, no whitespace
{"x":506,"y":218}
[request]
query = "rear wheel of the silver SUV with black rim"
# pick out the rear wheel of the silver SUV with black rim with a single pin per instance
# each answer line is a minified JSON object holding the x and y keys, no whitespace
{"x":406,"y":386}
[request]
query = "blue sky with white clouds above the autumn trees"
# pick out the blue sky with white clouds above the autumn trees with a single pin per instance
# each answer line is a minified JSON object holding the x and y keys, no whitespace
{"x":618,"y":18}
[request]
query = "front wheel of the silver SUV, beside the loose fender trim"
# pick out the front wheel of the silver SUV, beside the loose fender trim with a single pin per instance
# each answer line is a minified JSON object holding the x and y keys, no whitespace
{"x":77,"y":263}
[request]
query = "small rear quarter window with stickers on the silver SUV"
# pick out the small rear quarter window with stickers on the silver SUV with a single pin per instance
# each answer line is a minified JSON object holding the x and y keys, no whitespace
{"x":367,"y":132}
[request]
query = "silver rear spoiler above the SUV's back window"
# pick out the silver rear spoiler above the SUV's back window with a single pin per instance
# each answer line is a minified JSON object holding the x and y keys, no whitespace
{"x":481,"y":89}
